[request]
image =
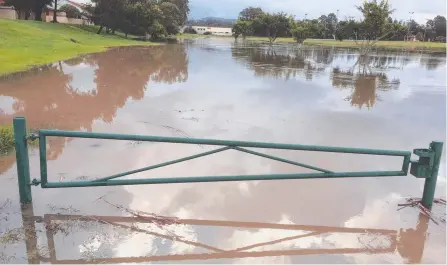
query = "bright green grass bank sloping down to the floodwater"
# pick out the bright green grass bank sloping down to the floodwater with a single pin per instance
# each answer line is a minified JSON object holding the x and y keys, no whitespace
{"x":24,"y":44}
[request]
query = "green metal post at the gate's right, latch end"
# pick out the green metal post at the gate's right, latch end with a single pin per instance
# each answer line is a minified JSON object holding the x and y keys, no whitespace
{"x":430,"y":183}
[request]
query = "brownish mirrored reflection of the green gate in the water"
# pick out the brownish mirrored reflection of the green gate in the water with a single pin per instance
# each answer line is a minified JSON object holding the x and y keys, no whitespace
{"x":291,"y":239}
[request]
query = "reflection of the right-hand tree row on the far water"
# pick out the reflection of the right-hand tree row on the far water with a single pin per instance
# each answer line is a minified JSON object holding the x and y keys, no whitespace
{"x":365,"y":76}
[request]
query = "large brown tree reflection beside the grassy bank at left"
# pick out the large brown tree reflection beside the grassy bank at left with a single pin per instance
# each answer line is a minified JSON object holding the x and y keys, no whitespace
{"x":48,"y":100}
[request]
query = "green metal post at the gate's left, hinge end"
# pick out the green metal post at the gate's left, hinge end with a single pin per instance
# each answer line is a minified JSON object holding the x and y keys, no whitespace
{"x":22,"y":159}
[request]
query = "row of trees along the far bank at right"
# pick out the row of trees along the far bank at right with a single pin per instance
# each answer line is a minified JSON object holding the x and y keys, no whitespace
{"x":377,"y":23}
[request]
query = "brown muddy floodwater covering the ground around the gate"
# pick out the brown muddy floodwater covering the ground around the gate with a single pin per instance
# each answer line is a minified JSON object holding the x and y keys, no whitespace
{"x":215,"y":89}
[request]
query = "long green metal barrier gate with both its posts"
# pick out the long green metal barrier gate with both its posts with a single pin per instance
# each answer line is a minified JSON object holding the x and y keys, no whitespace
{"x":426,"y":166}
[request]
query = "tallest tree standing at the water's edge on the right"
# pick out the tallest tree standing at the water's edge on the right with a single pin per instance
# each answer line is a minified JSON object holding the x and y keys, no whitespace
{"x":375,"y":18}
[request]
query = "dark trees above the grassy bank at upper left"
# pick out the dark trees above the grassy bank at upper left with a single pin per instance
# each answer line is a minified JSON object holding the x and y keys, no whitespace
{"x":148,"y":18}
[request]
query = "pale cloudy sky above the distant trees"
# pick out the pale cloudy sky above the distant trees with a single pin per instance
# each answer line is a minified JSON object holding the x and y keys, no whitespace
{"x":423,"y":10}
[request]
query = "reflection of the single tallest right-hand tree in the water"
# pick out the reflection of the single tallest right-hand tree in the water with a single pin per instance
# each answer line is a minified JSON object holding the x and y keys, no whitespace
{"x":363,"y":81}
